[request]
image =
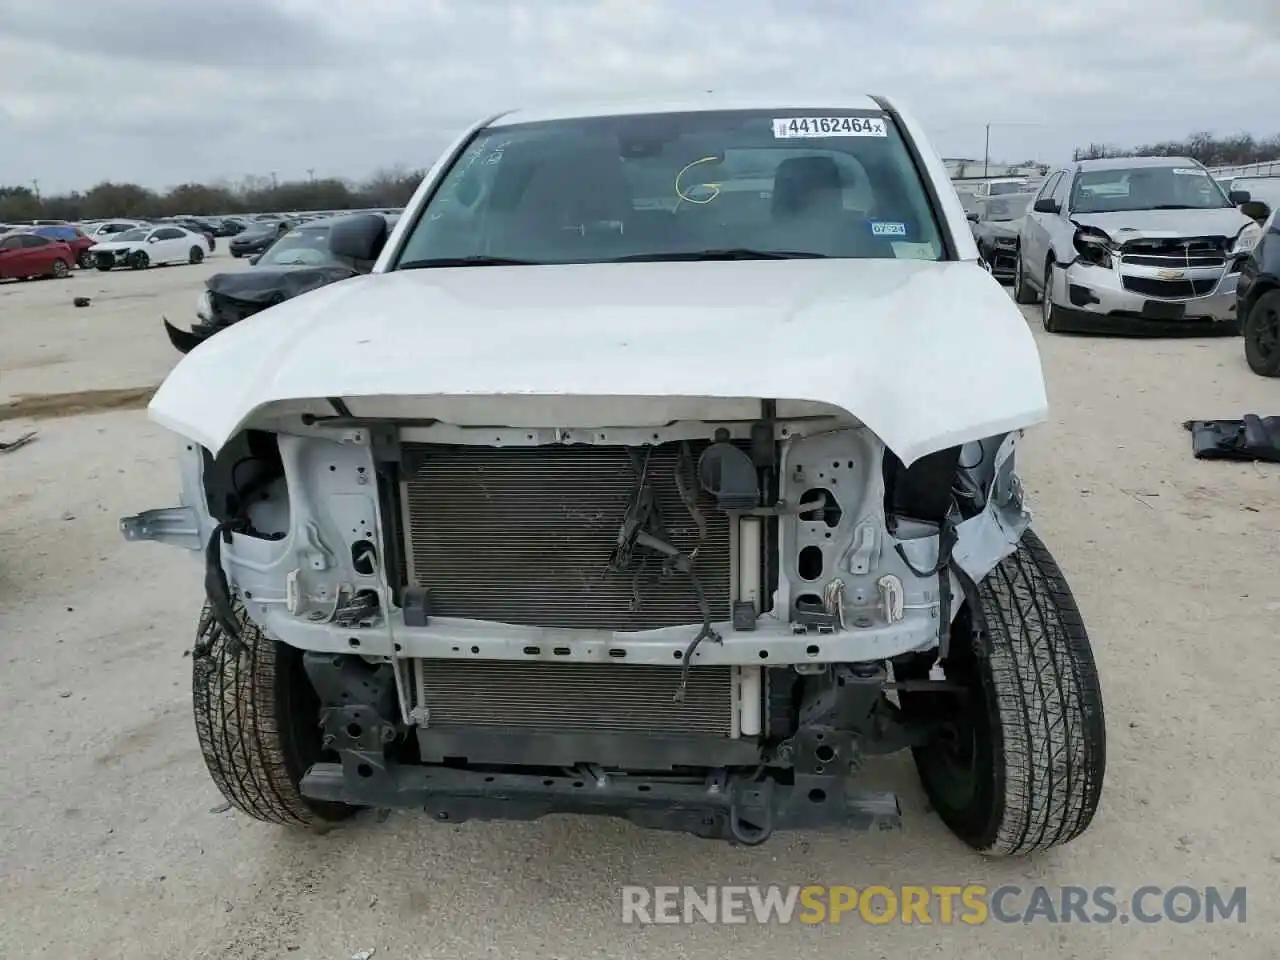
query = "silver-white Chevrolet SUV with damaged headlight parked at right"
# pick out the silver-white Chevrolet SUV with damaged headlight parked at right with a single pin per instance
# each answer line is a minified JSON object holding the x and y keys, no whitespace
{"x":1133,"y":245}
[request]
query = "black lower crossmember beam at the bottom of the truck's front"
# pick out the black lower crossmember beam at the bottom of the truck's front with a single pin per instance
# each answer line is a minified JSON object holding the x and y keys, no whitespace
{"x":723,"y":807}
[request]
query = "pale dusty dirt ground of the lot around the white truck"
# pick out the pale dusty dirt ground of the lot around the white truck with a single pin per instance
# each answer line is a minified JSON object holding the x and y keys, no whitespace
{"x":115,"y":843}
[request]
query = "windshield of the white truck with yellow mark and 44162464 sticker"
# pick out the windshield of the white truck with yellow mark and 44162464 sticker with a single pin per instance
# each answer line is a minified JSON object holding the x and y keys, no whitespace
{"x":732,"y":185}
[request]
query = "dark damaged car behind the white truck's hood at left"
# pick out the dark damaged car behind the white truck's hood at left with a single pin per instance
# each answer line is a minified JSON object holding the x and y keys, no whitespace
{"x":298,"y":263}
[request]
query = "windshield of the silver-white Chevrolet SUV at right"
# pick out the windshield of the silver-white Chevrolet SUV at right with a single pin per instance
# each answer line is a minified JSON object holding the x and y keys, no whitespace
{"x":1146,"y":189}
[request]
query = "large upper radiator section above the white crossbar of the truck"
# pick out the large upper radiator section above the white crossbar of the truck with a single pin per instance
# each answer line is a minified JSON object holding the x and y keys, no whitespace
{"x":524,"y":536}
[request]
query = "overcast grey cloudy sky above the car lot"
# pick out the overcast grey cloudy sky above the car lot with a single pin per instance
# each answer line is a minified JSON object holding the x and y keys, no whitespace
{"x":171,"y":92}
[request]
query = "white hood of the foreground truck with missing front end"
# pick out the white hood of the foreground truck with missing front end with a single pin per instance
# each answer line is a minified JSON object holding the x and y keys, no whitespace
{"x":927,"y":355}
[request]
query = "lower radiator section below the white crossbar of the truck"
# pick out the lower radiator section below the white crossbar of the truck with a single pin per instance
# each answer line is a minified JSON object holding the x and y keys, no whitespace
{"x":574,"y":697}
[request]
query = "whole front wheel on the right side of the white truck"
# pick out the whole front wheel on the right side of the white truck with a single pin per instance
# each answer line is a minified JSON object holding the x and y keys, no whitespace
{"x":1018,"y":760}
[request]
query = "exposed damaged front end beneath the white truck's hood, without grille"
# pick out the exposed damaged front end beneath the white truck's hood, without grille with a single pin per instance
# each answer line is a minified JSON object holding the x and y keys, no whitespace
{"x":691,"y":624}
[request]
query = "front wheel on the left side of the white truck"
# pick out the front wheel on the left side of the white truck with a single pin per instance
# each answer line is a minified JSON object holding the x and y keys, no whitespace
{"x":258,"y":721}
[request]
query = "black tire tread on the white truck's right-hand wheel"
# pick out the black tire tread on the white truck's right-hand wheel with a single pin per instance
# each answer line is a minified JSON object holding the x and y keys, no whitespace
{"x":1045,"y":687}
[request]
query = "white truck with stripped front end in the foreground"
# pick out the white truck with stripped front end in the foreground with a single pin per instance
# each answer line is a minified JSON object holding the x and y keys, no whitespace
{"x":589,"y":502}
